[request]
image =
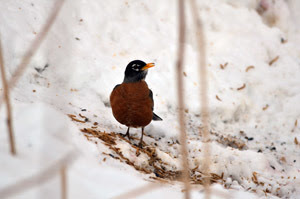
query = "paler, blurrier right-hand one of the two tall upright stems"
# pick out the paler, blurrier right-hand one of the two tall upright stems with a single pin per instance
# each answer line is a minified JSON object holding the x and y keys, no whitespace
{"x":203,"y":93}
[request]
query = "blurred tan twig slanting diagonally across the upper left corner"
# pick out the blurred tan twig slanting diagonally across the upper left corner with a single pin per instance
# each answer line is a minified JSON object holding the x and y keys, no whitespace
{"x":34,"y":47}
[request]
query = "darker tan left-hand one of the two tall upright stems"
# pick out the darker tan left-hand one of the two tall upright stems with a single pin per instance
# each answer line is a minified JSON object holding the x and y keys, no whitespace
{"x":180,"y":96}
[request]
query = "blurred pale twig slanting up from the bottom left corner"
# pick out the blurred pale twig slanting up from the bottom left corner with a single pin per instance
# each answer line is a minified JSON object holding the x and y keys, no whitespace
{"x":39,"y":178}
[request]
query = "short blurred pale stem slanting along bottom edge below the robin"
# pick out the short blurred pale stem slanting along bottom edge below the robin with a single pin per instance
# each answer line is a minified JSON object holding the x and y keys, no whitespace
{"x":139,"y":191}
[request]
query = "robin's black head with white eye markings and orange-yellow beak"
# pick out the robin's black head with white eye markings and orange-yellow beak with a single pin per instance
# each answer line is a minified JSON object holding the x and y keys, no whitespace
{"x":136,"y":71}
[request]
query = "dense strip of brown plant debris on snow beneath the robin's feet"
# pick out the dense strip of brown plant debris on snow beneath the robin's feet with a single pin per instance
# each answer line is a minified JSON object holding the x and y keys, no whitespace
{"x":160,"y":168}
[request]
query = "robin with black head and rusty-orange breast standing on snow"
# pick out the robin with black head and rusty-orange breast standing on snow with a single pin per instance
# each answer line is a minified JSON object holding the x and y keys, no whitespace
{"x":132,"y":101}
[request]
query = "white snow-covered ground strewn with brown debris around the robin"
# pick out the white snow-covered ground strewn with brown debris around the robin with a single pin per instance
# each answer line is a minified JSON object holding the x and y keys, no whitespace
{"x":253,"y":53}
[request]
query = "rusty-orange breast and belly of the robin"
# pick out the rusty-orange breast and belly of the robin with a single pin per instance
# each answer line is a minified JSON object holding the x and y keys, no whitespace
{"x":131,"y":104}
